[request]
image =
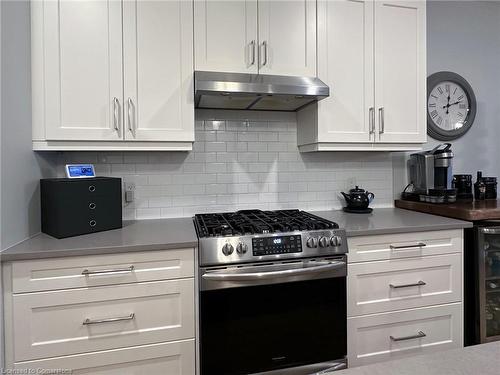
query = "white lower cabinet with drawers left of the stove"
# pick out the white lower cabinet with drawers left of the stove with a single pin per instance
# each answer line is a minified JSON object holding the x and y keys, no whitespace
{"x":126,"y":318}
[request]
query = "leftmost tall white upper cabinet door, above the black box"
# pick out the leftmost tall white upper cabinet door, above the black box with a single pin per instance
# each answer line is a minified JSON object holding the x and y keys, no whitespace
{"x":83,"y":70}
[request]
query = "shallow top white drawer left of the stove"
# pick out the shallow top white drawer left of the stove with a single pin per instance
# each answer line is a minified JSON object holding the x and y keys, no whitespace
{"x":63,"y":273}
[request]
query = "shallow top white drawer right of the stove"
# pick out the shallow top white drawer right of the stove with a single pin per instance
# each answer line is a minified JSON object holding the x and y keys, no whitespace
{"x":404,"y":245}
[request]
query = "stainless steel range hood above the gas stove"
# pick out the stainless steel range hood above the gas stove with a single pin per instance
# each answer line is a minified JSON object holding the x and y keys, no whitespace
{"x":256,"y":91}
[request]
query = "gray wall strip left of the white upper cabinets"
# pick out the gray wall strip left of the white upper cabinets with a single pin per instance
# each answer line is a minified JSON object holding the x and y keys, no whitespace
{"x":21,"y":169}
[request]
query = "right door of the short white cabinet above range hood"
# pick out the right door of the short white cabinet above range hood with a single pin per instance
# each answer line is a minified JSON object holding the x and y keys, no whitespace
{"x":287,"y":37}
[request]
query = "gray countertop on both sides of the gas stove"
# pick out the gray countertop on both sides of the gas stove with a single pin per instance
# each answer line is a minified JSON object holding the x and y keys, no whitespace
{"x":166,"y":234}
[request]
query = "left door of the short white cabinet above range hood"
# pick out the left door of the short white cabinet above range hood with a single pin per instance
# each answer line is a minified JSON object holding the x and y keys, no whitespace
{"x":225,"y":34}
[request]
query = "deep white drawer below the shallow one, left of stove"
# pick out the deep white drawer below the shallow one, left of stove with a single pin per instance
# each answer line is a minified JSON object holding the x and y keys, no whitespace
{"x":48,"y":324}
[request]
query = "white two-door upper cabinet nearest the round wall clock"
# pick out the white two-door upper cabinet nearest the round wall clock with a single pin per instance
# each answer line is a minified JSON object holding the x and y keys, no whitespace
{"x":372,"y":55}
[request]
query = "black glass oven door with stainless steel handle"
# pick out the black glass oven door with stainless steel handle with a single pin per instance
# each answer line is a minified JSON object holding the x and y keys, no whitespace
{"x":285,"y":318}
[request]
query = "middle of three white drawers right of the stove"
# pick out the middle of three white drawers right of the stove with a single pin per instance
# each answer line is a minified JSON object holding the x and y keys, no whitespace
{"x":403,"y":283}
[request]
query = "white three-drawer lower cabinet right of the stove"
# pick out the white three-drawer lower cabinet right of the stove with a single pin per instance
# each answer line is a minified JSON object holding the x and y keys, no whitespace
{"x":404,"y":294}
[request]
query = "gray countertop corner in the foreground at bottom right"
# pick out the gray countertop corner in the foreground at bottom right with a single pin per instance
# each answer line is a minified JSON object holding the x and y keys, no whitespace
{"x":473,"y":360}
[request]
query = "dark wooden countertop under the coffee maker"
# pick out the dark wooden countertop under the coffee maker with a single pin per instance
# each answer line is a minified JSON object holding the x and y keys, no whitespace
{"x":470,"y":211}
